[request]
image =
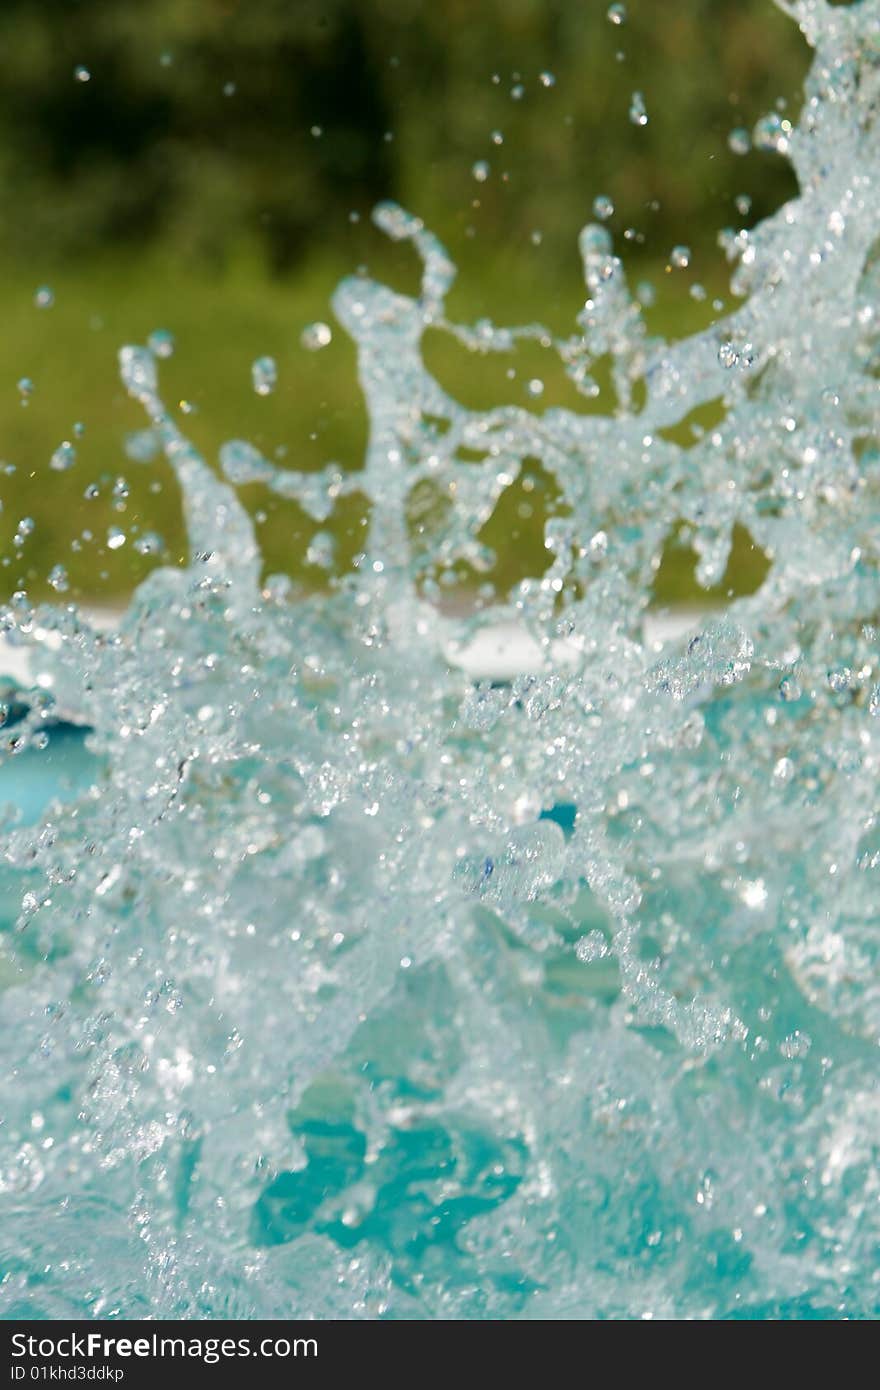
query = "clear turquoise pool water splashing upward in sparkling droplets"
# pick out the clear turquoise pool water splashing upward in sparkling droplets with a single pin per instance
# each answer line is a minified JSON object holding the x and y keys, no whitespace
{"x":340,"y":982}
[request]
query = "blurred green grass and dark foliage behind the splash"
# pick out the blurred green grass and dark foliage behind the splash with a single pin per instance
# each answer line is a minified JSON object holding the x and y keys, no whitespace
{"x":215,"y":173}
